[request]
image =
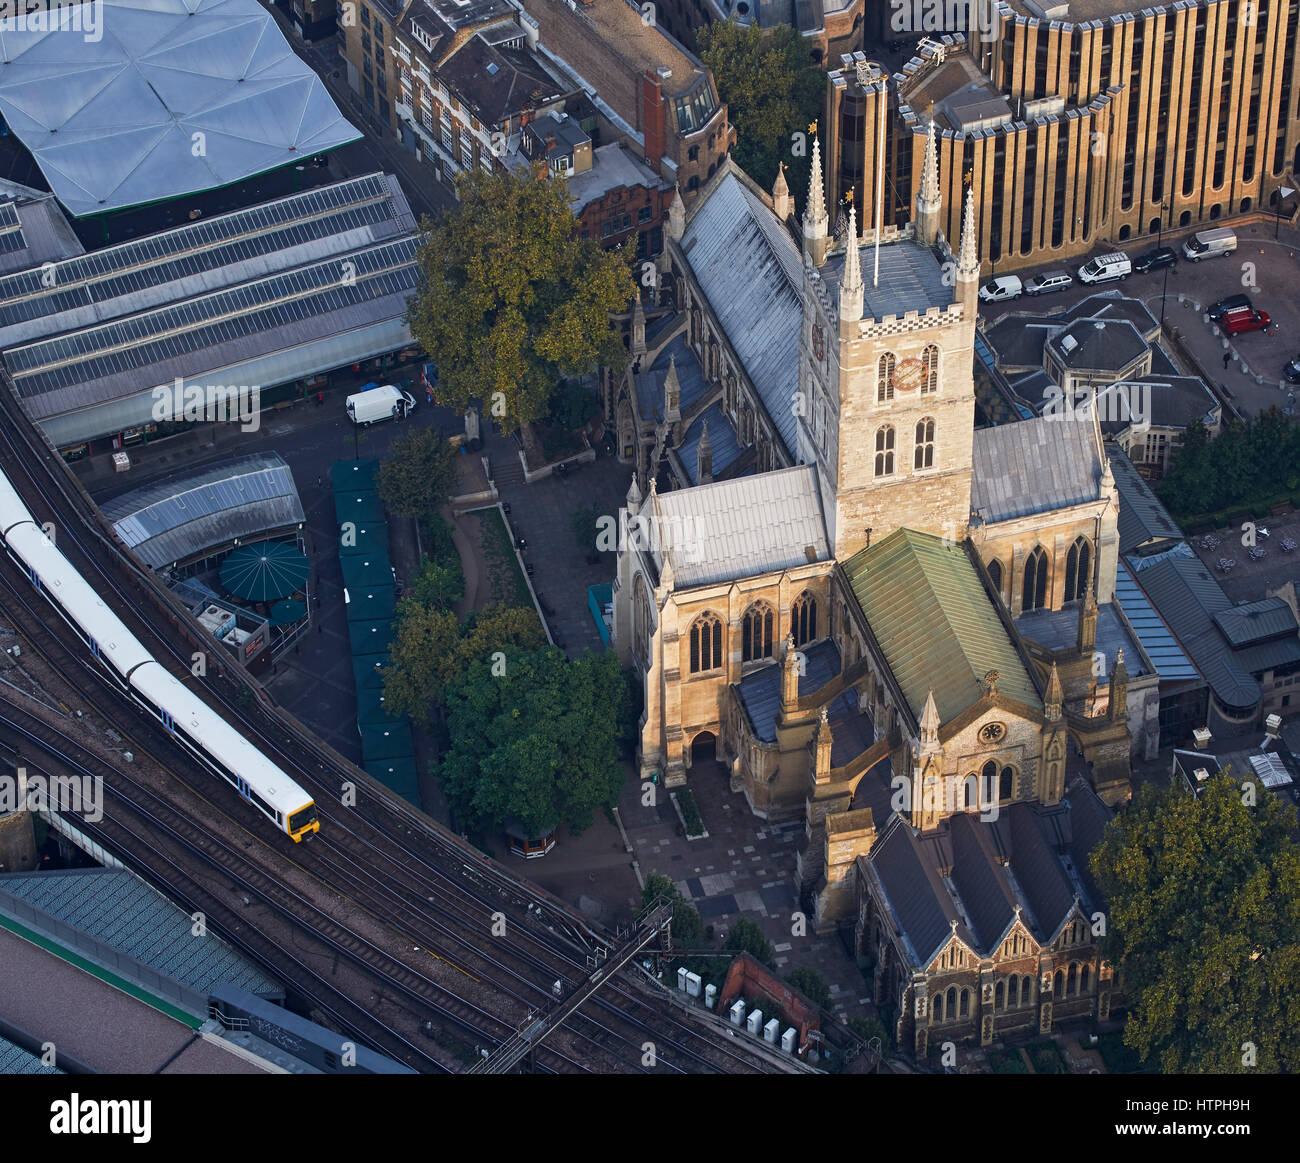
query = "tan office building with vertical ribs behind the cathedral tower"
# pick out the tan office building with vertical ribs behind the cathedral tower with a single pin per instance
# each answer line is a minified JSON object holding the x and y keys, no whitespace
{"x":1082,"y":124}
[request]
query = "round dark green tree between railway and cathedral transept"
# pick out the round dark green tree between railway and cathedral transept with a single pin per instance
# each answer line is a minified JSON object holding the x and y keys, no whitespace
{"x":534,"y":739}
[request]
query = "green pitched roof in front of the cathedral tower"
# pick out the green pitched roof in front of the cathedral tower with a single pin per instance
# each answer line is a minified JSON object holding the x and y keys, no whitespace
{"x":935,"y":623}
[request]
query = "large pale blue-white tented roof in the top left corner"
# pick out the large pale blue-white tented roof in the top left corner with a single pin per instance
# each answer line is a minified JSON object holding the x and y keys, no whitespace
{"x":111,"y":107}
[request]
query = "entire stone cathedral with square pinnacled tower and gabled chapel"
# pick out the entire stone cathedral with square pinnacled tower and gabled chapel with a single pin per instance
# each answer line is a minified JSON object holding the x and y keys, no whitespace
{"x":877,"y":618}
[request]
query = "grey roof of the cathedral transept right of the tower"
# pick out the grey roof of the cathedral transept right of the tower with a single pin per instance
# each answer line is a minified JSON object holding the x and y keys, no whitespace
{"x":1034,"y":467}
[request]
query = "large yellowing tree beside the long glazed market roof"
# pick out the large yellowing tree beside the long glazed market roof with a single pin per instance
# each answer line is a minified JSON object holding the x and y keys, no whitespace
{"x":512,"y":301}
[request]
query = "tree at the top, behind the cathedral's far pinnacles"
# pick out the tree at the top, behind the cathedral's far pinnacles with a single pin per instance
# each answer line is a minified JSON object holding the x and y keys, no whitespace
{"x":773,"y":92}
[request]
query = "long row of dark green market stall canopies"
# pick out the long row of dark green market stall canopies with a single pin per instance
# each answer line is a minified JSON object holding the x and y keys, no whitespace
{"x":370,"y":593}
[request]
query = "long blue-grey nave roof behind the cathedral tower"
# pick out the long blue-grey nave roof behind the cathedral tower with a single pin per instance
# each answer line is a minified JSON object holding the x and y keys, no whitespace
{"x":752,"y":274}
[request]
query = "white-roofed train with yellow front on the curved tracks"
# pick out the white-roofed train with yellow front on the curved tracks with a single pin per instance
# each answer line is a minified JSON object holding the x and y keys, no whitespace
{"x":140,"y":676}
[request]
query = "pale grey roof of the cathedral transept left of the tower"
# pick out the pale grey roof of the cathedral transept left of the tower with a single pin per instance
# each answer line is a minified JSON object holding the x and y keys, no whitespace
{"x":742,"y":528}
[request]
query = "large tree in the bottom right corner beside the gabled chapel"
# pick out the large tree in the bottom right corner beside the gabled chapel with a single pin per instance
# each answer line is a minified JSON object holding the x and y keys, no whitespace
{"x":1204,"y":925}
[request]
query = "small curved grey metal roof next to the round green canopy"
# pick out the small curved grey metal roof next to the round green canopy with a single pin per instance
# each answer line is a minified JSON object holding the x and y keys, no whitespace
{"x":181,"y":518}
